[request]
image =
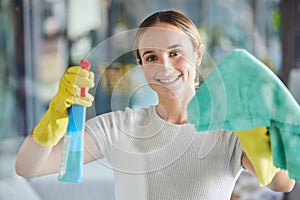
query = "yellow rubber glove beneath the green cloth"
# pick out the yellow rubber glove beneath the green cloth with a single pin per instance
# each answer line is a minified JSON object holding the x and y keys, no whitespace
{"x":256,"y":144}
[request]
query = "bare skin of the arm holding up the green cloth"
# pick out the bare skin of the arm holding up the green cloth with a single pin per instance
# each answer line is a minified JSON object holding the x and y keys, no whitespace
{"x":281,"y":181}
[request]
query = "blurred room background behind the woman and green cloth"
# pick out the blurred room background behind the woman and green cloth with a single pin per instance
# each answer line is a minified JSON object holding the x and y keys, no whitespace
{"x":39,"y":39}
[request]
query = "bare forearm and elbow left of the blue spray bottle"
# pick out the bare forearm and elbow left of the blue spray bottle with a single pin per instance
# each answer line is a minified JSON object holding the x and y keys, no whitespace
{"x":36,"y":160}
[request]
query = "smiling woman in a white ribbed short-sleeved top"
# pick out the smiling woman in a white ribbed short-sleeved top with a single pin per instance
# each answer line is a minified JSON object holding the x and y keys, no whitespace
{"x":155,"y":152}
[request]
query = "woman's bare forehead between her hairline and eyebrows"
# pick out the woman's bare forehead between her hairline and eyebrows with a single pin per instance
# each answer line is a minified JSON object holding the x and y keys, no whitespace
{"x":163,"y":36}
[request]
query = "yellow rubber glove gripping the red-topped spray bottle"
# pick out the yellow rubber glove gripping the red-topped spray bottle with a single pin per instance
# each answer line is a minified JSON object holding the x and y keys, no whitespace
{"x":53,"y":124}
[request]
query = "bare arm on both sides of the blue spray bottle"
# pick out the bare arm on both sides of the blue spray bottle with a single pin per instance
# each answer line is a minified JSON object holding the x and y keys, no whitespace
{"x":35,"y":160}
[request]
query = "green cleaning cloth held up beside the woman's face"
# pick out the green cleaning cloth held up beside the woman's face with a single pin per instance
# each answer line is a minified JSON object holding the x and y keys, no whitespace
{"x":242,"y":94}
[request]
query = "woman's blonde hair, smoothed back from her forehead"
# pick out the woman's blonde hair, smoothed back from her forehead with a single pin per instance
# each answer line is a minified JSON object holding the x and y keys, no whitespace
{"x":172,"y":17}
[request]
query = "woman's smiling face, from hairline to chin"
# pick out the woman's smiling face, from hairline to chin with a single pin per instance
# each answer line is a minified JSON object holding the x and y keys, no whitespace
{"x":169,"y":60}
